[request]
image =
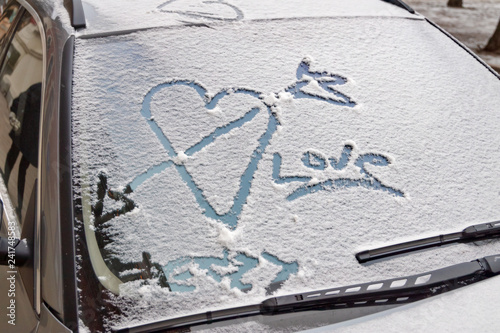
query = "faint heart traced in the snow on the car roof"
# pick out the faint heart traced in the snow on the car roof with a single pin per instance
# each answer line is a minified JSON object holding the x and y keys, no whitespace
{"x":213,"y":9}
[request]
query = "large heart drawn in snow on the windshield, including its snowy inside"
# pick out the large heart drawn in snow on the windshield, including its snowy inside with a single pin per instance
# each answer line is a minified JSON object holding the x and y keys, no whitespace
{"x":216,"y":142}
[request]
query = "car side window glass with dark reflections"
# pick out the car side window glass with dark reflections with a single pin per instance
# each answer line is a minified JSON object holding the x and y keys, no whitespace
{"x":20,"y":103}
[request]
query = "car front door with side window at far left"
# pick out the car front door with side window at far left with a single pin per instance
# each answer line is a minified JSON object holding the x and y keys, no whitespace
{"x":20,"y":103}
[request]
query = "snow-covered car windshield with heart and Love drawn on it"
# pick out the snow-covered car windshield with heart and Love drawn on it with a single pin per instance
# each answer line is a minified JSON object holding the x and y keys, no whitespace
{"x":217,"y":164}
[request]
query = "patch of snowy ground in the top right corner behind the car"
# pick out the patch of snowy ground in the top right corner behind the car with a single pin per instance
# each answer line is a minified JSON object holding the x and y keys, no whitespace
{"x":473,"y":25}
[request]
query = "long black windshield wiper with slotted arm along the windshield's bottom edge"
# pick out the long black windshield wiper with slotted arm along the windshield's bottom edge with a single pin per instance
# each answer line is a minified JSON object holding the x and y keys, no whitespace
{"x":385,"y":292}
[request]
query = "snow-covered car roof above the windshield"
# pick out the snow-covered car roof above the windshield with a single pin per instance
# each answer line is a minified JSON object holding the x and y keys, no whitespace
{"x":113,"y":16}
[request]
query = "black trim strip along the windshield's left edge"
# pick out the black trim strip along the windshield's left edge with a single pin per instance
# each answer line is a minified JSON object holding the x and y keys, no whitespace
{"x":66,"y":218}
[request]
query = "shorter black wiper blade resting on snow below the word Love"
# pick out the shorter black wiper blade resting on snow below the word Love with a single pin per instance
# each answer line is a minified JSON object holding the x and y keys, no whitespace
{"x":470,"y":234}
